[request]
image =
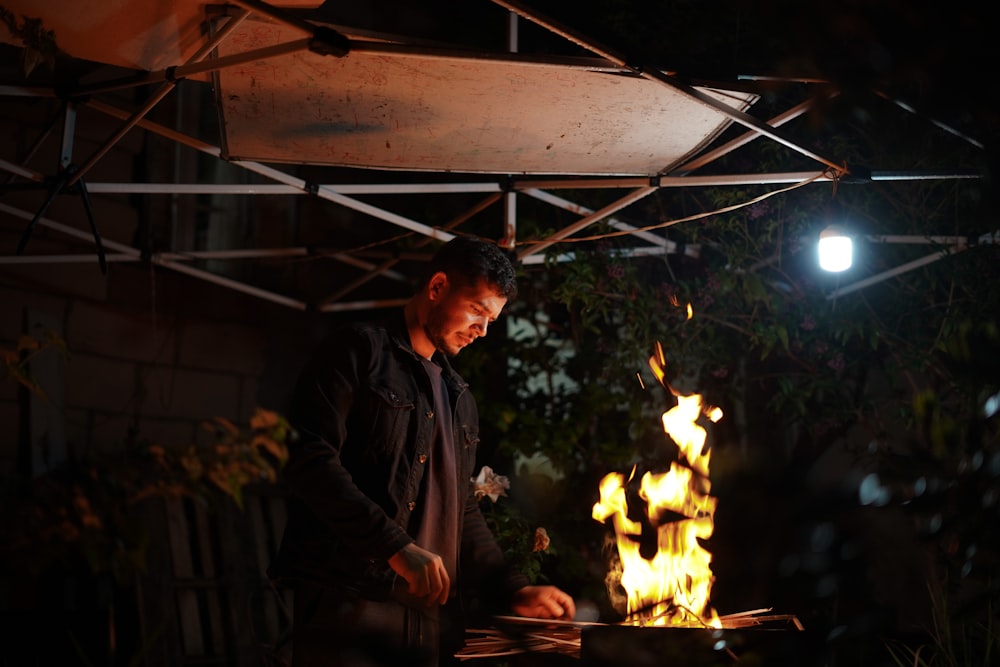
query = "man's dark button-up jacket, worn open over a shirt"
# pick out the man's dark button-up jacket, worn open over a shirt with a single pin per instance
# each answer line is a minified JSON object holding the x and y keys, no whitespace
{"x":364,"y":417}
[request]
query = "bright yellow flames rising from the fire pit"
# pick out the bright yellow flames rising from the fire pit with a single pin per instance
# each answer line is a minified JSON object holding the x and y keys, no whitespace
{"x":672,"y":585}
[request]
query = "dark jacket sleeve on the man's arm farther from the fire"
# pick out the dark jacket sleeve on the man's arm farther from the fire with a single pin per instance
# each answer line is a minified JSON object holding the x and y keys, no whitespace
{"x":315,"y":474}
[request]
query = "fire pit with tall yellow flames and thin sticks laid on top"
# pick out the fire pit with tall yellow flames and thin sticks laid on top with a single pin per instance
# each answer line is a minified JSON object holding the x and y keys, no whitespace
{"x":664,"y":571}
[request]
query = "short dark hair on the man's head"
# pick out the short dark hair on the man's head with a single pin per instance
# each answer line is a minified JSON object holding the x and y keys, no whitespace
{"x":469,"y":259}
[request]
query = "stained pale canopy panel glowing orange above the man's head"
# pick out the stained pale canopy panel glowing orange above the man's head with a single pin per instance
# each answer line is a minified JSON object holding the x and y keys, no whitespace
{"x":412,"y":111}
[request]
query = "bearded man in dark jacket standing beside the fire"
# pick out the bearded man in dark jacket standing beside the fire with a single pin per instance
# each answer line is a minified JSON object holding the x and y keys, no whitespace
{"x":384,"y":531}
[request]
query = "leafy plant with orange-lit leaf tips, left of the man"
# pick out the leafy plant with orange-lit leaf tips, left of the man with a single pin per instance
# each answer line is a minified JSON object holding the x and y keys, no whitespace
{"x":82,"y":511}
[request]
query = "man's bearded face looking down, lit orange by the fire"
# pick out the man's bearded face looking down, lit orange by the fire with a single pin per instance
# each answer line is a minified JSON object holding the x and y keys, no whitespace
{"x":459,"y":314}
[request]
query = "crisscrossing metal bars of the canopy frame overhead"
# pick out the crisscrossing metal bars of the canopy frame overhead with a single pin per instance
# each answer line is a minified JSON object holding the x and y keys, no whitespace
{"x":326,"y":41}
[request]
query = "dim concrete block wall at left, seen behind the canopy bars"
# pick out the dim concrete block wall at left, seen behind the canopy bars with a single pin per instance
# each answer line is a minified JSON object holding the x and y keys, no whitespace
{"x":152,"y":353}
